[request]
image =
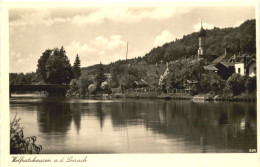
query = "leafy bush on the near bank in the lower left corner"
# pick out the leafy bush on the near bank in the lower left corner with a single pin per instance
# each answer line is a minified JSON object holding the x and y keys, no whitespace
{"x":20,"y":144}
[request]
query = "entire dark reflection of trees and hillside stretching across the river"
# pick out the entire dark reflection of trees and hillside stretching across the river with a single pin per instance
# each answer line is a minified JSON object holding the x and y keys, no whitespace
{"x":223,"y":125}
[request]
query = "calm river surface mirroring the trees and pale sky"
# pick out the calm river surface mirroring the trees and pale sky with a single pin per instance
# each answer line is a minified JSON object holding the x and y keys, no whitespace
{"x":65,"y":125}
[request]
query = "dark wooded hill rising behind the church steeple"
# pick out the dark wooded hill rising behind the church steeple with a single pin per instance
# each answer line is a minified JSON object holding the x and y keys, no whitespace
{"x":238,"y":39}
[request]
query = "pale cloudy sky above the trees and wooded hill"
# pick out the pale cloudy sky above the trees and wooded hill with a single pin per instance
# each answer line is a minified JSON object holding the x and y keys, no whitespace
{"x":100,"y":34}
